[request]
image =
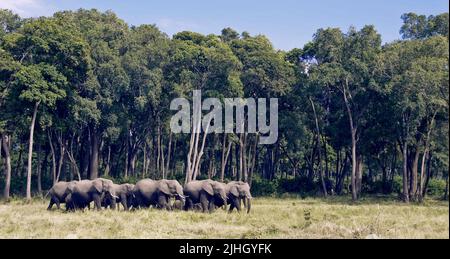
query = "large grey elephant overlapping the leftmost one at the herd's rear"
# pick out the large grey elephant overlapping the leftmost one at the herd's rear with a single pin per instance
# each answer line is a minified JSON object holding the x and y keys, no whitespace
{"x":86,"y":191}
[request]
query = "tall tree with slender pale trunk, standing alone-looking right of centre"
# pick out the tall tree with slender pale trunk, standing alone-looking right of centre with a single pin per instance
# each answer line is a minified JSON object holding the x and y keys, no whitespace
{"x":345,"y":62}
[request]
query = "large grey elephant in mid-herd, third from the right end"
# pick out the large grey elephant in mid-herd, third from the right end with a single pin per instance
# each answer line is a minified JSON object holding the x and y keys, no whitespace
{"x":149,"y":192}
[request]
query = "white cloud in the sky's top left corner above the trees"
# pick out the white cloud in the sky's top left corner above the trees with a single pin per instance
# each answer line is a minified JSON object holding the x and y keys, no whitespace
{"x":27,"y":8}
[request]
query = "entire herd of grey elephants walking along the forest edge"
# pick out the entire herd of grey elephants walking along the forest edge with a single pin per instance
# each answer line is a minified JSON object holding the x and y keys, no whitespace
{"x":206,"y":195}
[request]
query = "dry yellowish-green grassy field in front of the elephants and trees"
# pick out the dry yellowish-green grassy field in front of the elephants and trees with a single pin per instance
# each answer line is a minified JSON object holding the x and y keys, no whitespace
{"x":270,"y":218}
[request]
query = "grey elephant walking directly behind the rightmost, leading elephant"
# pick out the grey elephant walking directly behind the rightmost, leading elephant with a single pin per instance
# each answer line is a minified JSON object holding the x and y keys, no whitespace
{"x":208,"y":193}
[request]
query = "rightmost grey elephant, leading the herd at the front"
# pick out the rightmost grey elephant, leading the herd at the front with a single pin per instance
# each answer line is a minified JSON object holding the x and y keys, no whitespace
{"x":237,"y":192}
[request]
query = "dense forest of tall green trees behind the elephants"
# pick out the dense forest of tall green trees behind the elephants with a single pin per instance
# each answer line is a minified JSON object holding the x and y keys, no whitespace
{"x":85,"y":95}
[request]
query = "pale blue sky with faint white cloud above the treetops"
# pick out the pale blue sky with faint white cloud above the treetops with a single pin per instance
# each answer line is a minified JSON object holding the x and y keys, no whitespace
{"x":287,"y":23}
